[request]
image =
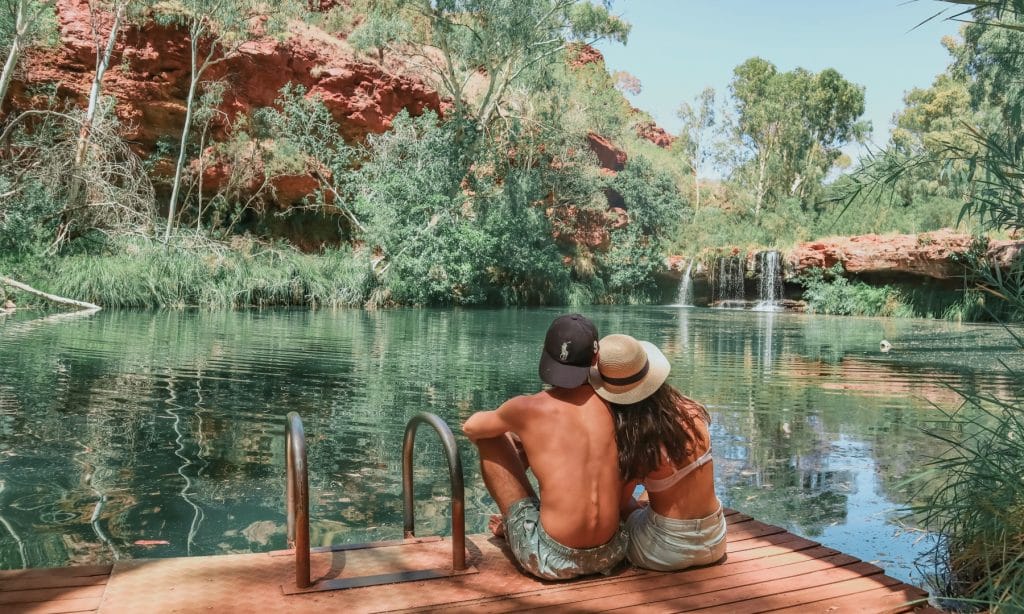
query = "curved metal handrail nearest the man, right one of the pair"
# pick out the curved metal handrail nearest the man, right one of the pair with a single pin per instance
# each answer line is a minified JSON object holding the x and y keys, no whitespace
{"x":455,"y":474}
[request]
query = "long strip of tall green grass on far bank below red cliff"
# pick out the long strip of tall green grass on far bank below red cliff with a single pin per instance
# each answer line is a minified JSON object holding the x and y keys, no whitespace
{"x":197,"y":273}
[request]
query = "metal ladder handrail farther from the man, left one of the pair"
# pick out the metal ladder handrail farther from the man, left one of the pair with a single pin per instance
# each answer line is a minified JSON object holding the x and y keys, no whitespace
{"x":298,"y":497}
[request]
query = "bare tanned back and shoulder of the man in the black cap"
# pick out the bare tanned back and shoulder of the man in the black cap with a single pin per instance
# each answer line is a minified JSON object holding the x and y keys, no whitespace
{"x":570,"y":440}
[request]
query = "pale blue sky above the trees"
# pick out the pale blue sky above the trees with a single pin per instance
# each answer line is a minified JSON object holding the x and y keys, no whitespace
{"x":678,"y":48}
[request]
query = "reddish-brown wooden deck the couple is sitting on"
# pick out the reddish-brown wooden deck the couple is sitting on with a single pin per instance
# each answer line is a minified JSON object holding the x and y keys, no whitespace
{"x":767,"y":571}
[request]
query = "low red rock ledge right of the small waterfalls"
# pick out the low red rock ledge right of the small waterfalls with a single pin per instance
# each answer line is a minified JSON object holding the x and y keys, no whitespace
{"x":932,"y":255}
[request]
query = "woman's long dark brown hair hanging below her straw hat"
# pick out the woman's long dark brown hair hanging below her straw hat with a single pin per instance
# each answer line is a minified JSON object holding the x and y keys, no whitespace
{"x":666,"y":421}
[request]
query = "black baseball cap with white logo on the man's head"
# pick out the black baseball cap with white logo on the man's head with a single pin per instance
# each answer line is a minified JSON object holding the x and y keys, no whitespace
{"x":570,"y":348}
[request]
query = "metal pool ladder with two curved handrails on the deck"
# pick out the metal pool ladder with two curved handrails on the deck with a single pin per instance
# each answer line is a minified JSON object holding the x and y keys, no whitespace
{"x":298,"y":511}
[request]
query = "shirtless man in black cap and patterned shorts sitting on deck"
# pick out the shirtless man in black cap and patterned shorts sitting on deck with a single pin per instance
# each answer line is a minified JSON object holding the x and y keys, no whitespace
{"x":569,"y":440}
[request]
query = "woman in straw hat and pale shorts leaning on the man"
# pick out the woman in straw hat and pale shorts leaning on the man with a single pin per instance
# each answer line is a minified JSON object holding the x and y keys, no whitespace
{"x":665,"y":446}
